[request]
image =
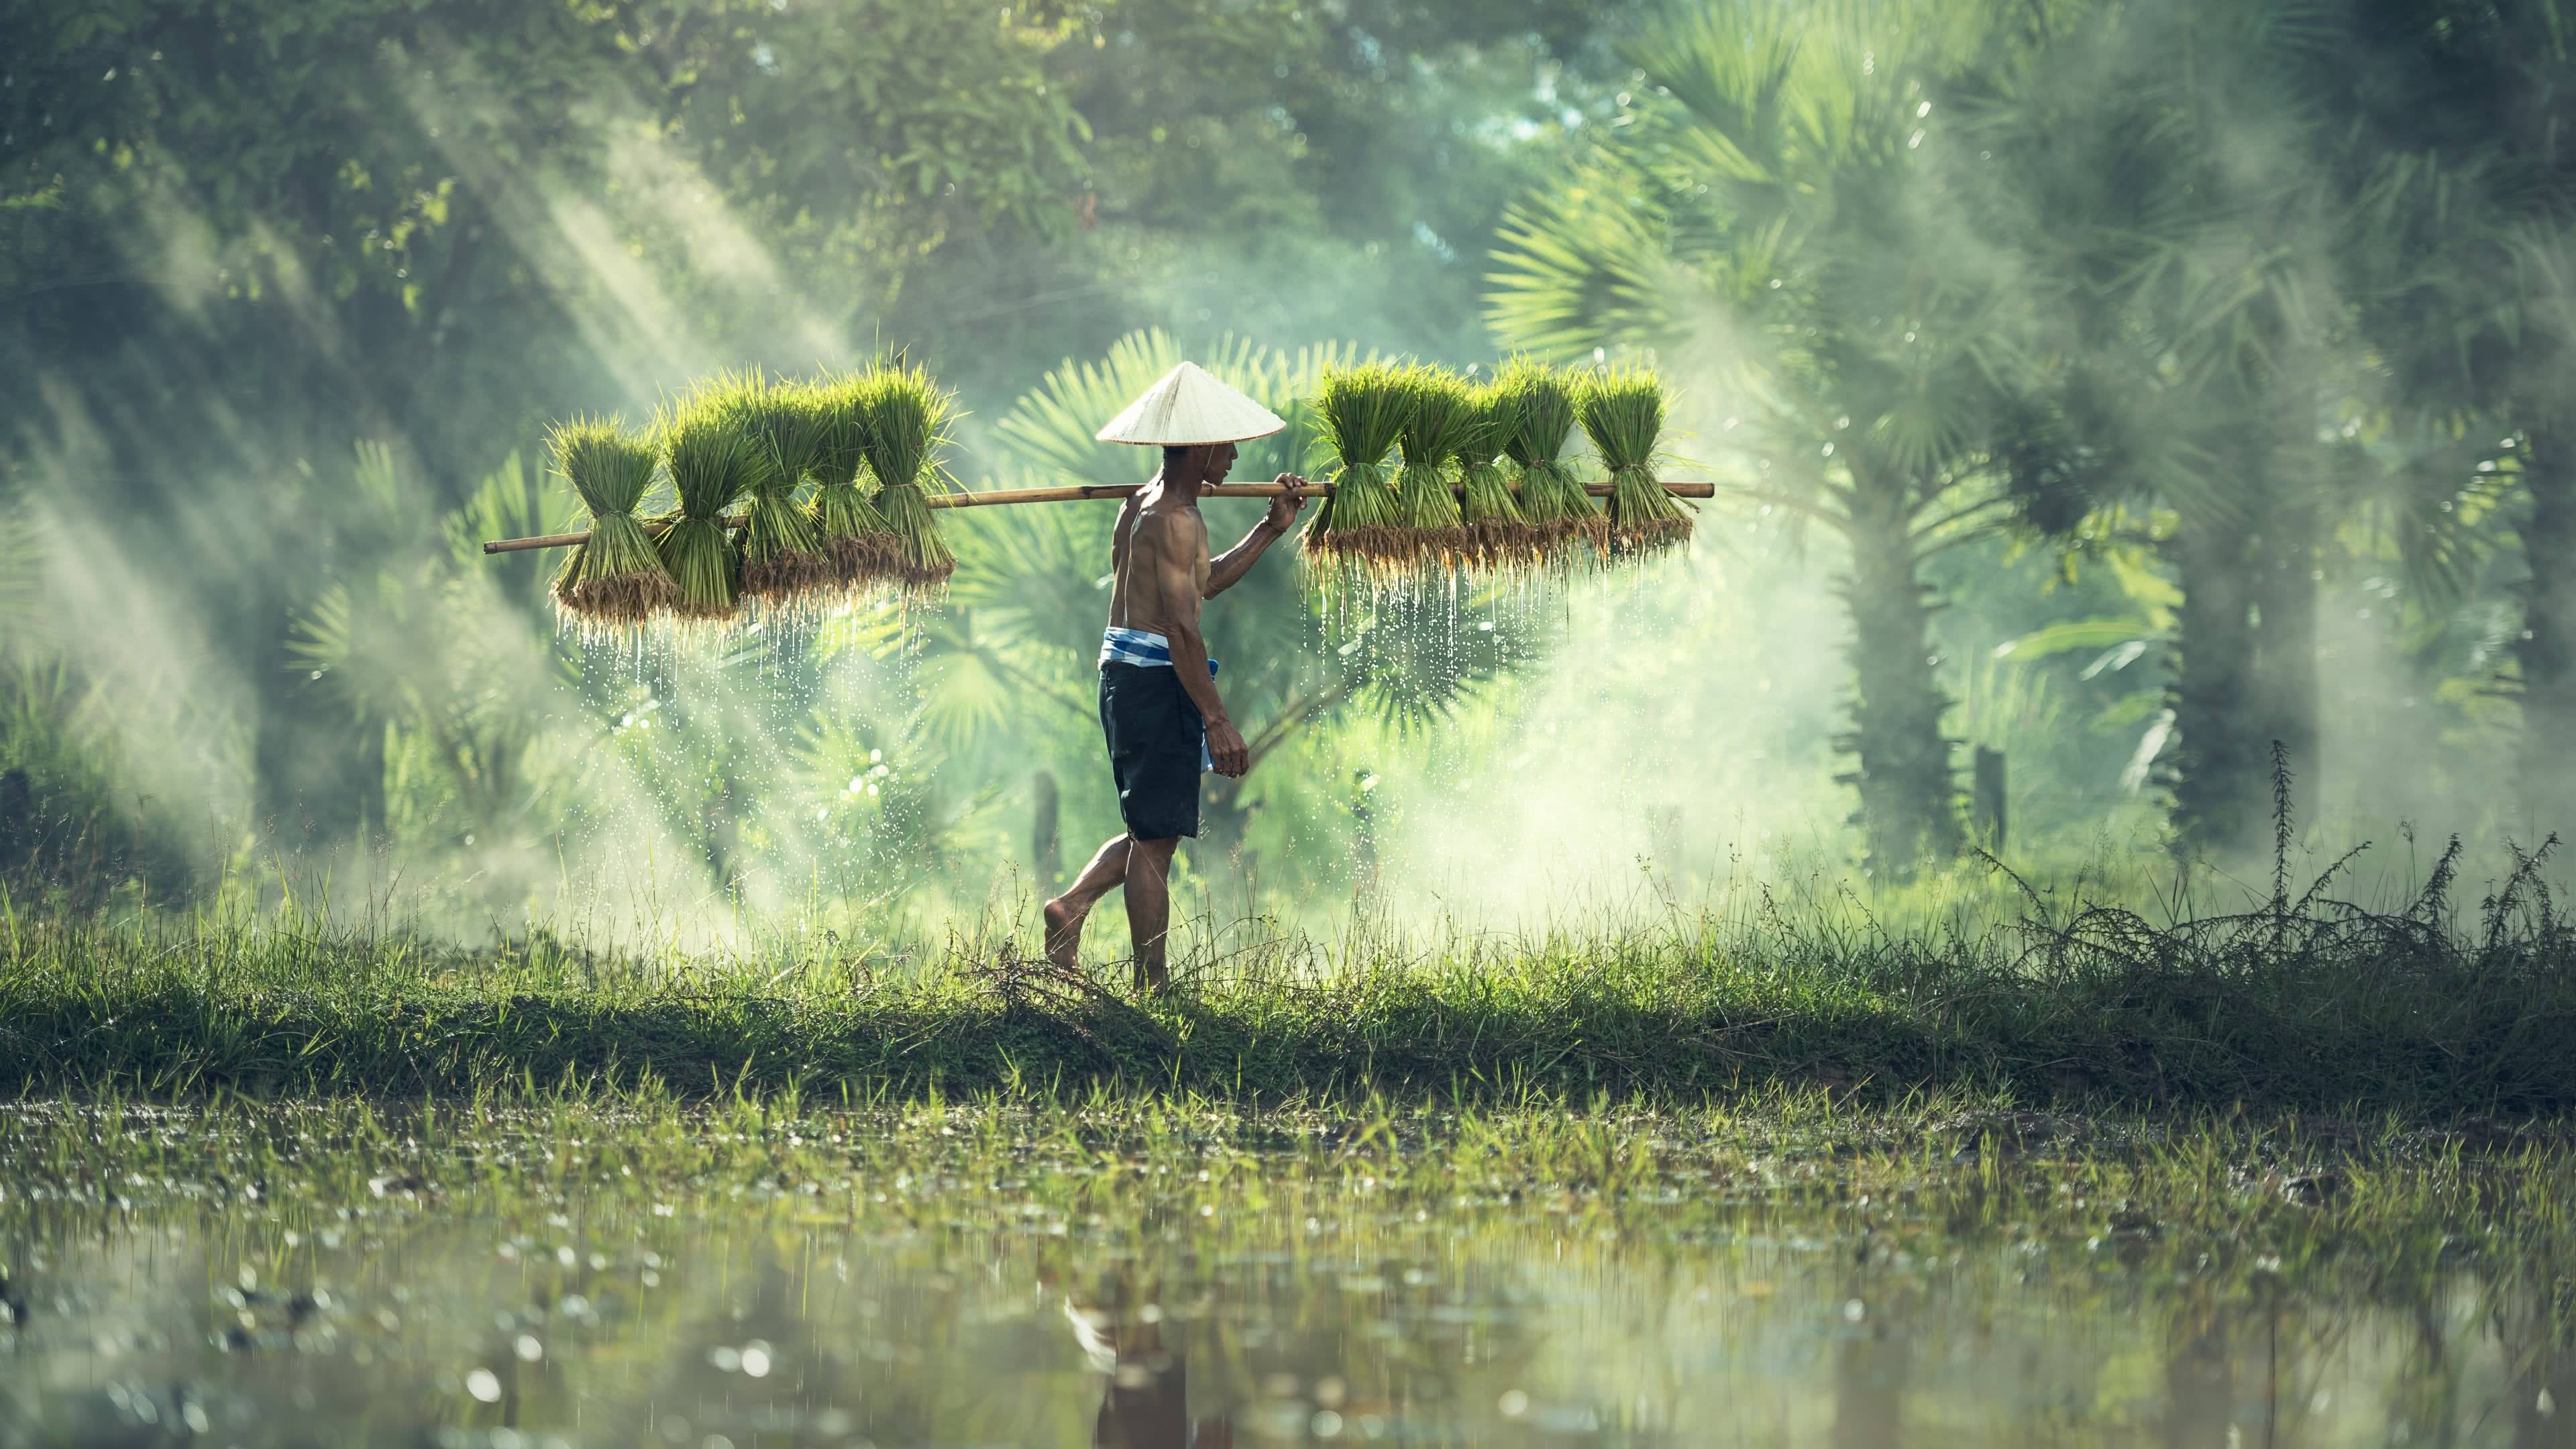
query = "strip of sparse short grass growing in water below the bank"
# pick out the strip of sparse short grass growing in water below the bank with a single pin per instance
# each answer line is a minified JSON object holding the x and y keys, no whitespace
{"x":2224,"y":1200}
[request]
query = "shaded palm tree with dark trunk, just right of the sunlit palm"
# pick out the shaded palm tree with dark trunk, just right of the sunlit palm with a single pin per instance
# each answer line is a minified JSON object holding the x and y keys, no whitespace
{"x":2168,"y":182}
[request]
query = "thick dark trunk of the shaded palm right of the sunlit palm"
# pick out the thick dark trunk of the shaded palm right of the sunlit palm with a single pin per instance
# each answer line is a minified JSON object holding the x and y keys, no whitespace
{"x":2219,"y":764}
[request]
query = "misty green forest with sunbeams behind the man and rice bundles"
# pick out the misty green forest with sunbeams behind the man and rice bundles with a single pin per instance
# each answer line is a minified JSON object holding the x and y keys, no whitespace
{"x":2121,"y":388}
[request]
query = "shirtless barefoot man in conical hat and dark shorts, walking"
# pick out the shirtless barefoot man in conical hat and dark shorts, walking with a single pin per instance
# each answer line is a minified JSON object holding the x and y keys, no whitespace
{"x":1158,"y":685}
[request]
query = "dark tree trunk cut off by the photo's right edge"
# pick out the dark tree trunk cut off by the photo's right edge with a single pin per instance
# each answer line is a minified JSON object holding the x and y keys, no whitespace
{"x":2549,"y":630}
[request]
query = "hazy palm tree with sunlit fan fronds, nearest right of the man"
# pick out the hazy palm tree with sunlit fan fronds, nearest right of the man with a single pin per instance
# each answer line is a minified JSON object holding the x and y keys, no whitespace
{"x":1771,"y":208}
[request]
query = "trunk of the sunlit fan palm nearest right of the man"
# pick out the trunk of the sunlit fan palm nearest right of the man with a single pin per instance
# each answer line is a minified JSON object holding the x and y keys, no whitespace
{"x":1908,"y":801}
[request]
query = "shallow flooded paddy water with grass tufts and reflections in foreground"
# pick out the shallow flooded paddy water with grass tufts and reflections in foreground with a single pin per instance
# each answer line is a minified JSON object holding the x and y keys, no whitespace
{"x":962,"y":1285}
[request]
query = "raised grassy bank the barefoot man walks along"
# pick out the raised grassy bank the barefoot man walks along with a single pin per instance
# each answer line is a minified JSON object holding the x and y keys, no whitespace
{"x":2299,"y":1004}
